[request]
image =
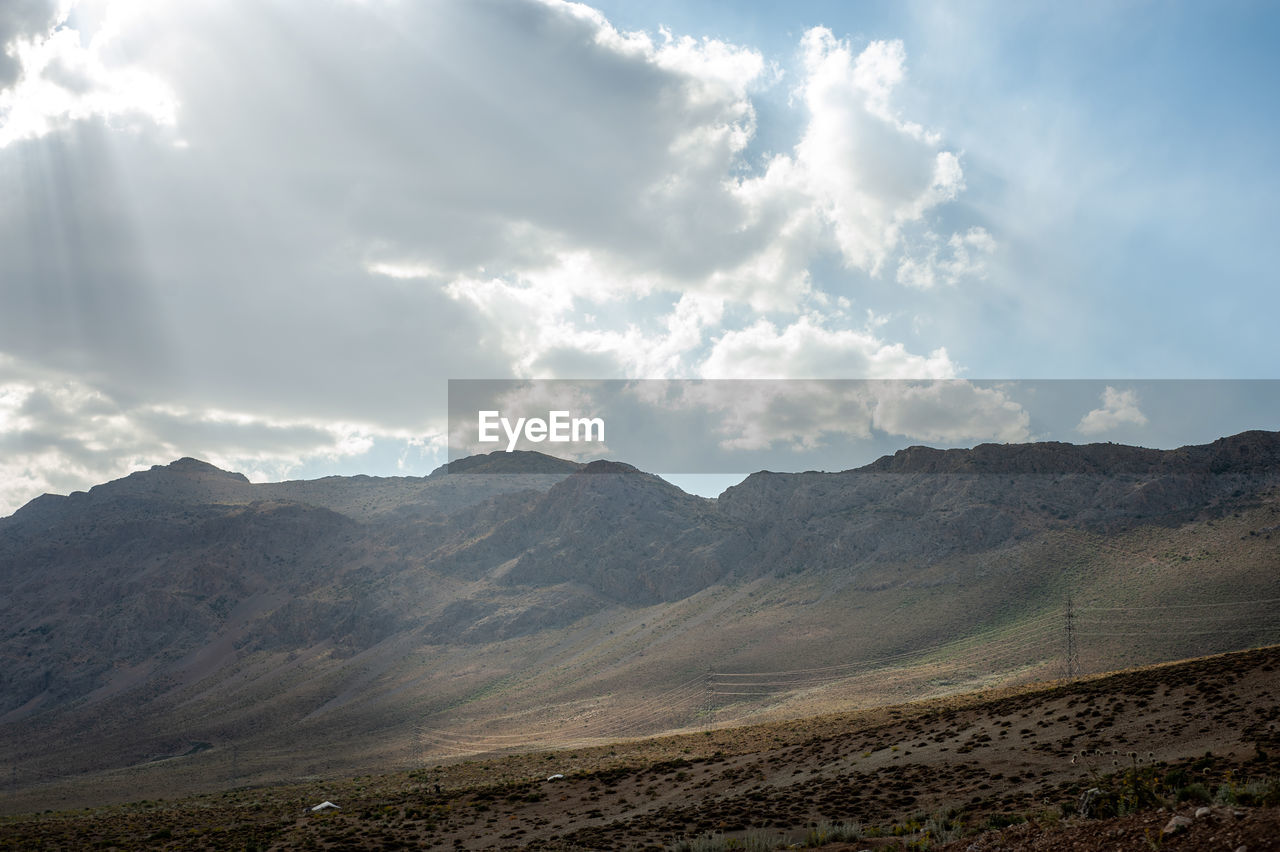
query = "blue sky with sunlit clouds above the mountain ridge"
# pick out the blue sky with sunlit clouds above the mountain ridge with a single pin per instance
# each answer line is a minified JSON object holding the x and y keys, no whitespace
{"x":268,"y":235}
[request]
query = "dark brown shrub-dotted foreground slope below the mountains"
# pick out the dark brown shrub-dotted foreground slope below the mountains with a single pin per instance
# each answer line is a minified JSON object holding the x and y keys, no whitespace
{"x":1103,"y":763}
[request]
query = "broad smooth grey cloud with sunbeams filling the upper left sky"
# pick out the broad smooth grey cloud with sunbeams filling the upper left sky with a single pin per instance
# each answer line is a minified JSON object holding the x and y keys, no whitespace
{"x":232,"y":272}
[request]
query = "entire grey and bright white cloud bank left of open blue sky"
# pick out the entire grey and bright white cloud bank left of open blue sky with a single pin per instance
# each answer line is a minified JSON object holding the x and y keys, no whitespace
{"x":312,"y":218}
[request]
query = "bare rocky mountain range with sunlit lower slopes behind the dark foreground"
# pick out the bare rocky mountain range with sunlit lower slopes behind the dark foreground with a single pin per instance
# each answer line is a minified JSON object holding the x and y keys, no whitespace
{"x":203,"y":633}
